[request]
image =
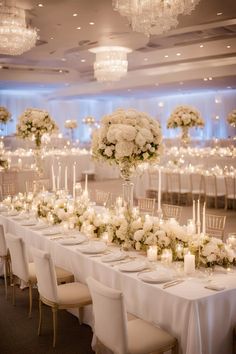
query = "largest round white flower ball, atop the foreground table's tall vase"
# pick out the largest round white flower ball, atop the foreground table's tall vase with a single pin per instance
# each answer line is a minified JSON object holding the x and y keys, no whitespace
{"x":127,"y":136}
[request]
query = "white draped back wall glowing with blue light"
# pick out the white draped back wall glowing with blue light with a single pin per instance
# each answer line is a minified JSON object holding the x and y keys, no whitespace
{"x":210,"y":105}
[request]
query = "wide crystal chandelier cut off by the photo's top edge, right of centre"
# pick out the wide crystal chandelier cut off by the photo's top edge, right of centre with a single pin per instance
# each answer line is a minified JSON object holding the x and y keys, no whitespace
{"x":153,"y":16}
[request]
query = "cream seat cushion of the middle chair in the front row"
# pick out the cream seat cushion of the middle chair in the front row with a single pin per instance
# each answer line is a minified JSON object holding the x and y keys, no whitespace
{"x":73,"y":293}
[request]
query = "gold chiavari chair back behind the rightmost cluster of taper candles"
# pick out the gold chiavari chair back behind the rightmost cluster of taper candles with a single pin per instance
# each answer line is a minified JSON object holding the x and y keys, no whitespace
{"x":215,"y":225}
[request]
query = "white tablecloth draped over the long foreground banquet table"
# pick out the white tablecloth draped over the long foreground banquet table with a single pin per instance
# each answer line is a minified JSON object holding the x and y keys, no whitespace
{"x":201,"y":319}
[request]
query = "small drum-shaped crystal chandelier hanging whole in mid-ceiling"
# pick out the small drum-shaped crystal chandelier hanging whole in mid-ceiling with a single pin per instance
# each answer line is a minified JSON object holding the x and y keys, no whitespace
{"x":111,"y":63}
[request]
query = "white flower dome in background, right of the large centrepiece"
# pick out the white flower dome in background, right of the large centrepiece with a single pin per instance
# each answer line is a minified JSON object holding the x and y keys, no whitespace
{"x":185,"y":116}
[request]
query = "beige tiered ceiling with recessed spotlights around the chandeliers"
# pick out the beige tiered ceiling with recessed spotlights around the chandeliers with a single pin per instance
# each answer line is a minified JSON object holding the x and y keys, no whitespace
{"x":203,"y":46}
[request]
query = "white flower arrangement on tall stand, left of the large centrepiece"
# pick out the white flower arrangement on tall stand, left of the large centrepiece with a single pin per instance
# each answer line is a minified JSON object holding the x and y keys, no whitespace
{"x":34,"y":123}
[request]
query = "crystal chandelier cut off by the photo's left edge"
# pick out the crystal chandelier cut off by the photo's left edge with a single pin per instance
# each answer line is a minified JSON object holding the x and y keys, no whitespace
{"x":15,"y":37}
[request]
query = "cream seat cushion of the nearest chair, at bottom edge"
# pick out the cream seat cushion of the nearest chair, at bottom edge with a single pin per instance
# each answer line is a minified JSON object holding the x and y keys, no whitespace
{"x":145,"y":338}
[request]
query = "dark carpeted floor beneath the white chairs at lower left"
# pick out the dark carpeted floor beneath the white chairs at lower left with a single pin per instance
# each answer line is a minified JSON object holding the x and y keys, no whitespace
{"x":18,"y":333}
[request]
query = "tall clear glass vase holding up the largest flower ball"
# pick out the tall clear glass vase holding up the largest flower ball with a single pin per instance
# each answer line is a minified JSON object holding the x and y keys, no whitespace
{"x":126,"y":171}
